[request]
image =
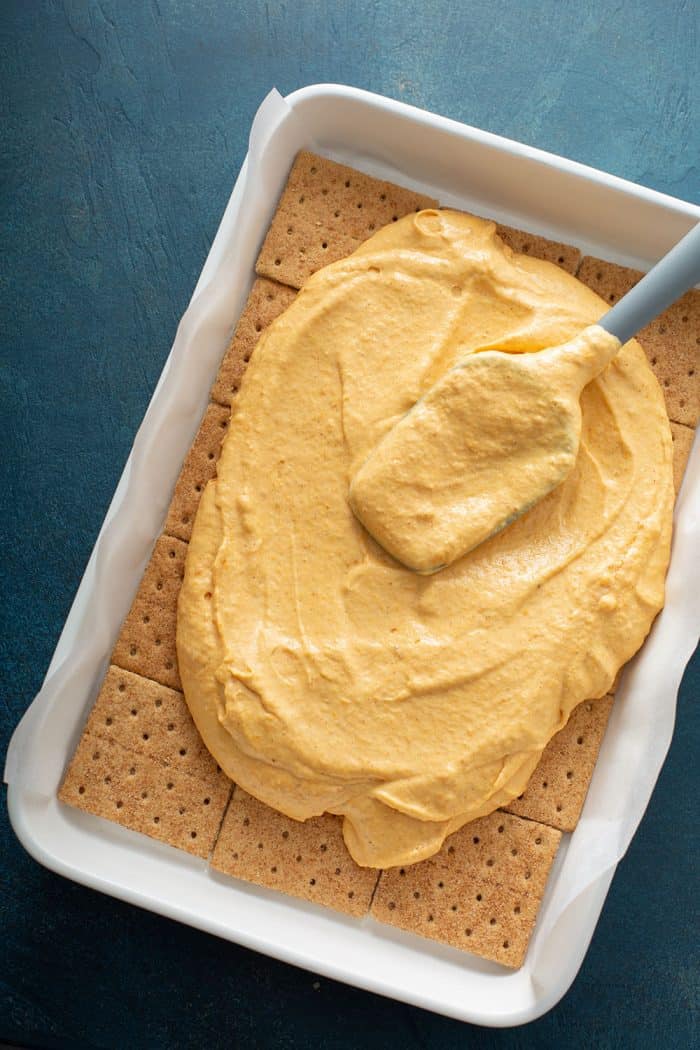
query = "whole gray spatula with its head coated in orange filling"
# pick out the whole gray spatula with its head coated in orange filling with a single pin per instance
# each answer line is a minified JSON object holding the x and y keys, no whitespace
{"x":498,"y":433}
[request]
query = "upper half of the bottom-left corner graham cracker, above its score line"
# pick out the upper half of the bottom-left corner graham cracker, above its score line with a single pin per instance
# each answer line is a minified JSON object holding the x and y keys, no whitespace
{"x":151,"y":720}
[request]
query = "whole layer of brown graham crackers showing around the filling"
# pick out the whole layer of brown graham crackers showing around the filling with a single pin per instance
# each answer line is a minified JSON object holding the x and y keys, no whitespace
{"x":459,"y":891}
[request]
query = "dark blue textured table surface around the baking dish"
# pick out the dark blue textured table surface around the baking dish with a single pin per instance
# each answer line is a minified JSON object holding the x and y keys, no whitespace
{"x":124,"y":124}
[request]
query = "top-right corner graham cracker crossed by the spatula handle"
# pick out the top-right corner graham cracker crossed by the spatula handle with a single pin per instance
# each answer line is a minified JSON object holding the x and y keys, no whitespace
{"x":671,"y":342}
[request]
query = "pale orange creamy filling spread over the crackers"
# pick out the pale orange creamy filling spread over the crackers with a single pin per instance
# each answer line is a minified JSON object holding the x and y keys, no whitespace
{"x":325,"y":676}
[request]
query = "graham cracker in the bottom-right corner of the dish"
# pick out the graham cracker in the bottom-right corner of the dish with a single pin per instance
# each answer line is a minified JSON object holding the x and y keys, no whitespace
{"x":481,"y":893}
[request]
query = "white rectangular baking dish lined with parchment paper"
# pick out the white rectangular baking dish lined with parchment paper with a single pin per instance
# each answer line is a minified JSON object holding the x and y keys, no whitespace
{"x":491,"y":176}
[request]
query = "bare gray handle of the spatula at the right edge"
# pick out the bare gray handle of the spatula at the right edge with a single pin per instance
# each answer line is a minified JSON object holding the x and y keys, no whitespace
{"x":666,"y":283}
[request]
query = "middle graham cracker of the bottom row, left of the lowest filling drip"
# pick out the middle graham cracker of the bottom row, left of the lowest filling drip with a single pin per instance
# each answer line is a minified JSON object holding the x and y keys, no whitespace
{"x":305,"y":859}
